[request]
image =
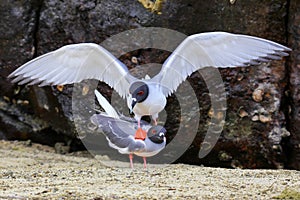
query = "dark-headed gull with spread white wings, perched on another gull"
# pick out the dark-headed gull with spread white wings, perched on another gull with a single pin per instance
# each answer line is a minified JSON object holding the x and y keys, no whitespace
{"x":76,"y":62}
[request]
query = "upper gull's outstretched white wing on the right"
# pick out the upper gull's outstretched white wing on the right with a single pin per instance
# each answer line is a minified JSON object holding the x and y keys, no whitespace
{"x":216,"y":49}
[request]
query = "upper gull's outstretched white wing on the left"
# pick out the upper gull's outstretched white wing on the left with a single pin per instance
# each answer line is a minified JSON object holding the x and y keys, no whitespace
{"x":74,"y":63}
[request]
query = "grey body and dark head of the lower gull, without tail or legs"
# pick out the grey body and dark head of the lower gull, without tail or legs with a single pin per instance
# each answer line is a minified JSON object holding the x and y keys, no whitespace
{"x":120,"y":135}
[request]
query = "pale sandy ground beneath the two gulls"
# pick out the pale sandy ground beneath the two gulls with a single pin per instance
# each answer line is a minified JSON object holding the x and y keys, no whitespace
{"x":33,"y":171}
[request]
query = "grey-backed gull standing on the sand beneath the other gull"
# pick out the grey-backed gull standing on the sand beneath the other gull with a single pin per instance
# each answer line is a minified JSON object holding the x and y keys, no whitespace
{"x":120,"y":130}
